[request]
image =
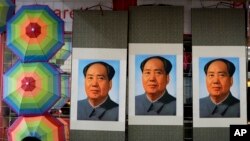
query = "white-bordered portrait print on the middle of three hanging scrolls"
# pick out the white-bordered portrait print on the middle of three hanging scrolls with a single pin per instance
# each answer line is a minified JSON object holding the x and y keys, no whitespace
{"x":155,"y":91}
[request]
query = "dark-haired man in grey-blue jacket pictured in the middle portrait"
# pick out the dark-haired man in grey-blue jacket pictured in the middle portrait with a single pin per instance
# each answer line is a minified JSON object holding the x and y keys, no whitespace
{"x":155,"y":77}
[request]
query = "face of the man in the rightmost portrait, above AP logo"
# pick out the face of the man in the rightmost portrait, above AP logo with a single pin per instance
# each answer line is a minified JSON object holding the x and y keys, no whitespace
{"x":218,"y":80}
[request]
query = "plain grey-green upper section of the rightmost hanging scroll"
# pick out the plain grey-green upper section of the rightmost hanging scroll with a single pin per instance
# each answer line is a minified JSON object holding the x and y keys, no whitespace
{"x":218,"y":26}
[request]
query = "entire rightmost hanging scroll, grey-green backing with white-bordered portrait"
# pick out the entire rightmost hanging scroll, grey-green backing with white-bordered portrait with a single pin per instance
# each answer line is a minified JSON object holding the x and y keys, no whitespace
{"x":218,"y":41}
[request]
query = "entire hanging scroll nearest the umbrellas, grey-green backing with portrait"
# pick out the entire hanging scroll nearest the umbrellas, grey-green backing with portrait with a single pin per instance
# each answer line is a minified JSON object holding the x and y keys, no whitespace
{"x":99,"y":39}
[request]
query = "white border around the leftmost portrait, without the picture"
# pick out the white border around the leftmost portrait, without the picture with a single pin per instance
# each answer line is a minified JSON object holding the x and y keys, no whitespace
{"x":101,"y":54}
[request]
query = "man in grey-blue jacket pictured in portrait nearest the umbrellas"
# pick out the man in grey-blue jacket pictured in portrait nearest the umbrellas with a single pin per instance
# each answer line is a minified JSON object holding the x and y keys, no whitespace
{"x":98,"y":105}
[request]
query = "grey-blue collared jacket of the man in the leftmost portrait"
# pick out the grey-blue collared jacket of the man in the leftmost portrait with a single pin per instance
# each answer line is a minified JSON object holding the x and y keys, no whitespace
{"x":108,"y":111}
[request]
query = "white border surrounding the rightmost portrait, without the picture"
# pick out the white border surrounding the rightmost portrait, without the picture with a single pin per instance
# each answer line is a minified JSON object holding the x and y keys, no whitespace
{"x":219,"y":52}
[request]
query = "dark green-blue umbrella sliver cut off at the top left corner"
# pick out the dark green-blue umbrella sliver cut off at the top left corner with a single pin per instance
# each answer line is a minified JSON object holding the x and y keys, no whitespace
{"x":7,"y":9}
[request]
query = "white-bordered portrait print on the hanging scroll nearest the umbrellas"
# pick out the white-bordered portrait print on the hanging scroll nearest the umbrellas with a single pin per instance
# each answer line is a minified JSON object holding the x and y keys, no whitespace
{"x":98,"y":89}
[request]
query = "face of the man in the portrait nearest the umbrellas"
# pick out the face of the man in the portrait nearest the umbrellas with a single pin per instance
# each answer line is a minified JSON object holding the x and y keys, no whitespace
{"x":97,"y":84}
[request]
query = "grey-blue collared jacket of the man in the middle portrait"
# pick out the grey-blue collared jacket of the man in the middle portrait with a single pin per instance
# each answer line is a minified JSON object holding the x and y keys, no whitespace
{"x":166,"y":105}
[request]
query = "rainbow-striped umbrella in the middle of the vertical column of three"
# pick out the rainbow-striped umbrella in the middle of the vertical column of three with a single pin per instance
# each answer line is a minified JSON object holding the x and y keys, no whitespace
{"x":31,"y":88}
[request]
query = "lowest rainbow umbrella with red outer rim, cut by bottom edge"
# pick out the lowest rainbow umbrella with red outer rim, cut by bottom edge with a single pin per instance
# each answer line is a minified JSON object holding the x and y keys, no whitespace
{"x":44,"y":128}
